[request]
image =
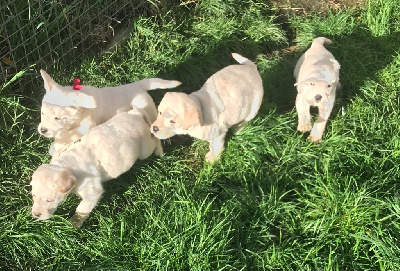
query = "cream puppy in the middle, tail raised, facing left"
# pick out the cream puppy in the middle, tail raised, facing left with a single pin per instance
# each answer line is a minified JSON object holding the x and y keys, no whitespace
{"x":232,"y":96}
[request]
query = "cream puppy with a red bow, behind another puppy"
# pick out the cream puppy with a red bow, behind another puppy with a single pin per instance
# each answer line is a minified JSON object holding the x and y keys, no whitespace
{"x":67,"y":113}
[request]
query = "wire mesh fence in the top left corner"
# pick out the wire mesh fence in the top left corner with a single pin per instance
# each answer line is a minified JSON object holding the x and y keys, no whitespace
{"x":45,"y":34}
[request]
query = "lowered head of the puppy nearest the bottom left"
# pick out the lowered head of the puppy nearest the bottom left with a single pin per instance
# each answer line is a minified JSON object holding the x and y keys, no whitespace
{"x":50,"y":186}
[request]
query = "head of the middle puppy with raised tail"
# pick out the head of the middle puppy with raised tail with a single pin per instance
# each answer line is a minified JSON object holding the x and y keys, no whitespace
{"x":177,"y":113}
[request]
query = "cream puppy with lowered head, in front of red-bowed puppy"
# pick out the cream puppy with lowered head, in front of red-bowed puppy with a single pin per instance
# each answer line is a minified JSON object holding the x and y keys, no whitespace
{"x":104,"y":153}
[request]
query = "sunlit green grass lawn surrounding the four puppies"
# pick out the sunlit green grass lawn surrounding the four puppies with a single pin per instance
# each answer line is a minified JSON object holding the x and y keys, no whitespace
{"x":274,"y":201}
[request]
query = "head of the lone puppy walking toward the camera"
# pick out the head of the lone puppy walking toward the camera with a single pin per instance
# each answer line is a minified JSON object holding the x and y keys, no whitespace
{"x":316,"y":92}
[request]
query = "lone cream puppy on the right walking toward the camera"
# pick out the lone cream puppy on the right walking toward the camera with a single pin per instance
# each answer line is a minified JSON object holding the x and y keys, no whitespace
{"x":317,"y":78}
